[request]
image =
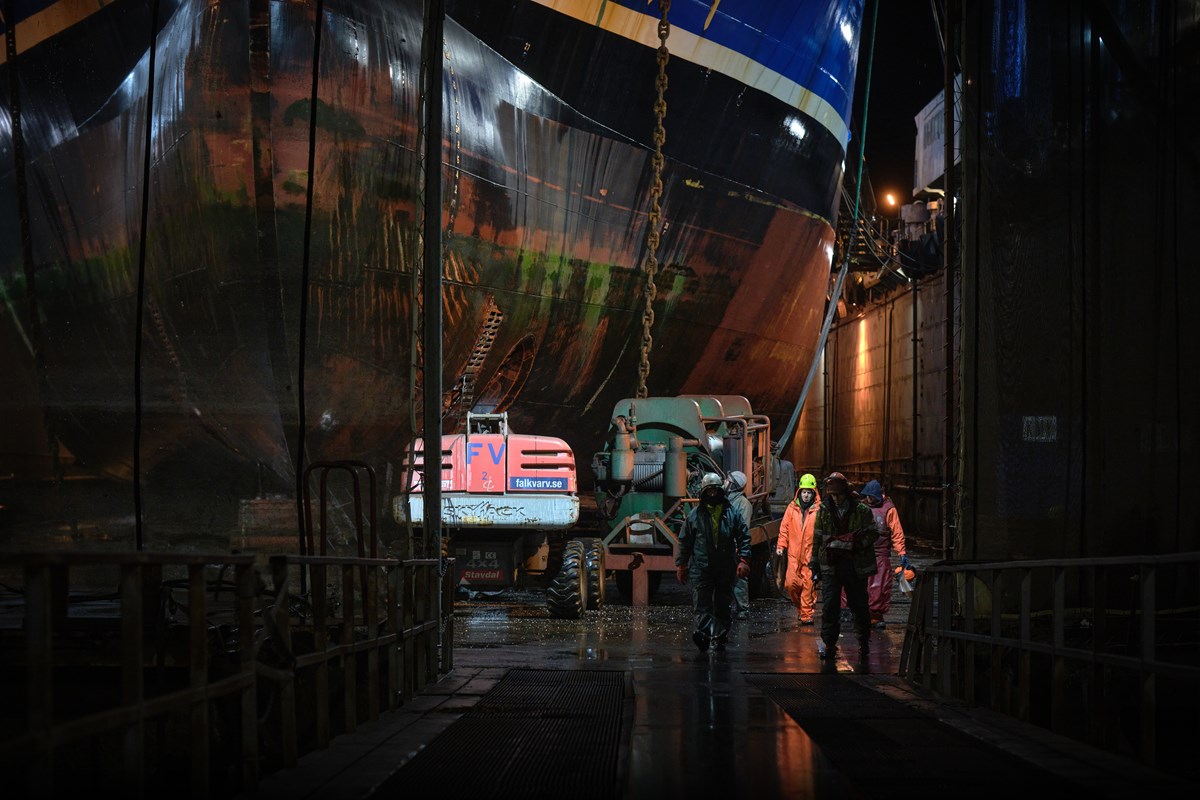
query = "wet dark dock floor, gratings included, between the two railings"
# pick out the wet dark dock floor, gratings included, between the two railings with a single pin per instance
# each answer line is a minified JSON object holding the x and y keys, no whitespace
{"x":764,"y":719}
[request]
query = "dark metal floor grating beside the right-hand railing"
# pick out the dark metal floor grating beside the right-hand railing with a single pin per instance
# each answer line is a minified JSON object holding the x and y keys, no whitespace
{"x":892,"y":750}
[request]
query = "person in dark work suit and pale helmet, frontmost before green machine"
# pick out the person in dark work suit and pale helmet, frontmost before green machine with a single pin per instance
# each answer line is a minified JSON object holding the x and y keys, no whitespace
{"x":715,"y":551}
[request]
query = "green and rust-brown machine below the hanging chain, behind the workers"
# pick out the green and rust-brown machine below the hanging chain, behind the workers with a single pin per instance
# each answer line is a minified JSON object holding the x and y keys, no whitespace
{"x":647,"y":480}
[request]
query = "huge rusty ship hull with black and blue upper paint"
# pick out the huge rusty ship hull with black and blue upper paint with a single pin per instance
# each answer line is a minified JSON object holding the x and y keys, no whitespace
{"x":193,"y":309}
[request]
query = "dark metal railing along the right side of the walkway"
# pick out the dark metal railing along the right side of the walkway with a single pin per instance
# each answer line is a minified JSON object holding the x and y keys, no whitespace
{"x":1102,"y":651}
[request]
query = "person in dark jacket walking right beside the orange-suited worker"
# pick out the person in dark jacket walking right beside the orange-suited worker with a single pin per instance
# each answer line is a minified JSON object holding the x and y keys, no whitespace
{"x":844,"y":556}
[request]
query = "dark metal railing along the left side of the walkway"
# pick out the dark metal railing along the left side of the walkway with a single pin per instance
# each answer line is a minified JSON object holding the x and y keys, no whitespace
{"x":209,"y":669}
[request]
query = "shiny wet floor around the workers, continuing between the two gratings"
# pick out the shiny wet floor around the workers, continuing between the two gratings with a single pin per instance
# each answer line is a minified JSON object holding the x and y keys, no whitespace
{"x":697,"y":726}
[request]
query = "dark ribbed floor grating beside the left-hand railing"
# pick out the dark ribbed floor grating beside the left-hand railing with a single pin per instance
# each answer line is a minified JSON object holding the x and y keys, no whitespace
{"x":538,"y":733}
